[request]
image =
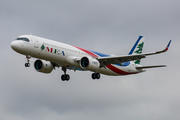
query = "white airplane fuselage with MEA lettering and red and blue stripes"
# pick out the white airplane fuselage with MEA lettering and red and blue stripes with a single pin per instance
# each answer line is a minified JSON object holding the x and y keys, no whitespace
{"x":65,"y":55}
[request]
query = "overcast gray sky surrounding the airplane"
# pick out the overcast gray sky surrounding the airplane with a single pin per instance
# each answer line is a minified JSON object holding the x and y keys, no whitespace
{"x":107,"y":26}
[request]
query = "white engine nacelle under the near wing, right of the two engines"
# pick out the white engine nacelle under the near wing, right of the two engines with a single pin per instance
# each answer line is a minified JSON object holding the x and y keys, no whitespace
{"x":89,"y":63}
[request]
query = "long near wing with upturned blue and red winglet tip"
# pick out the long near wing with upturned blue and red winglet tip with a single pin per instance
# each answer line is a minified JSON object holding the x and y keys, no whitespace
{"x":120,"y":59}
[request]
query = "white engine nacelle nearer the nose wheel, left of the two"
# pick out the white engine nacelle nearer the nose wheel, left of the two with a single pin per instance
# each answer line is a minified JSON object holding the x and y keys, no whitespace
{"x":43,"y":66}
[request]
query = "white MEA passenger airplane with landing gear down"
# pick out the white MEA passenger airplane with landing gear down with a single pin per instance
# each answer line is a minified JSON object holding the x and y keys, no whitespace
{"x":51,"y":54}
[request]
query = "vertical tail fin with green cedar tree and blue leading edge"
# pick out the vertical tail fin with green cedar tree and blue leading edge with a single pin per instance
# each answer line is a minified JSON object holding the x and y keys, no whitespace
{"x":137,"y":48}
